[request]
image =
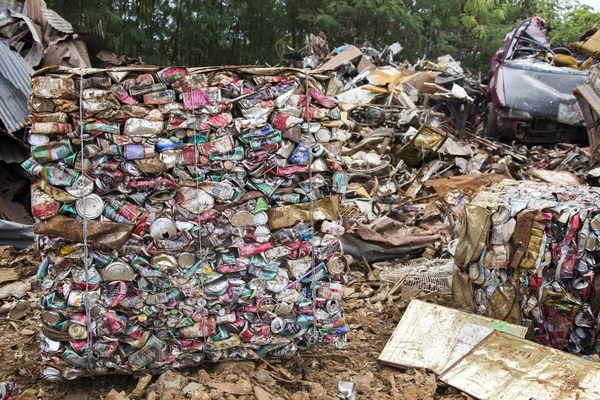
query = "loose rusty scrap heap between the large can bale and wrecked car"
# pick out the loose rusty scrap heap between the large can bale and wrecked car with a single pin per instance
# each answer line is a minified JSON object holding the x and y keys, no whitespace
{"x":413,"y":140}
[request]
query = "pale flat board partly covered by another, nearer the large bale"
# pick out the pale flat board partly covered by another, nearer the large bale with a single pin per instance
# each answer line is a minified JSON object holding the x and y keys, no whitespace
{"x":435,"y":337}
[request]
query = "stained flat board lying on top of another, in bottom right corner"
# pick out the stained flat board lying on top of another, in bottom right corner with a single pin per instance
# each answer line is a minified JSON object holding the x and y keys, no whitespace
{"x":503,"y":367}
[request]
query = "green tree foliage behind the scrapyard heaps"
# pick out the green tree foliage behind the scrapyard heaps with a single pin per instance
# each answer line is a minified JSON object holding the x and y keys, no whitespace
{"x":217,"y":32}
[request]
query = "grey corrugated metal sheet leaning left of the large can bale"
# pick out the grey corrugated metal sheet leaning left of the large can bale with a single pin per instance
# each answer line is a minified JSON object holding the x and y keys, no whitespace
{"x":14,"y":86}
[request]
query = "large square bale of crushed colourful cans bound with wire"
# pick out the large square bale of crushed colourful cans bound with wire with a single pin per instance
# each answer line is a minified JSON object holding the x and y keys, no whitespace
{"x":184,"y":215}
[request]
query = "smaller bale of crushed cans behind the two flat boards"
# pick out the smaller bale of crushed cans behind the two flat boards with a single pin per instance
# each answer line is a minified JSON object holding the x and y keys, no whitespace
{"x":528,"y":253}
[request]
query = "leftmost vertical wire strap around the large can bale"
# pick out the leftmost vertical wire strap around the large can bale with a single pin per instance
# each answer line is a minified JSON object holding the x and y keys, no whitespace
{"x":86,"y":261}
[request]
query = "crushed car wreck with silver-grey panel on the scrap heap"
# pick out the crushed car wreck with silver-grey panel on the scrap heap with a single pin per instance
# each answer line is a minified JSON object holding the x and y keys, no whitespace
{"x":531,"y":89}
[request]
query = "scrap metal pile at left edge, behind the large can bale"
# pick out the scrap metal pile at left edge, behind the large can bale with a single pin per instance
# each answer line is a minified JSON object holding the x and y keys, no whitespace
{"x":32,"y":36}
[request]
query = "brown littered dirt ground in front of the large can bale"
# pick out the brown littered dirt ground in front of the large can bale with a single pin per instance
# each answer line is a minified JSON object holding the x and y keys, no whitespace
{"x":371,"y":314}
